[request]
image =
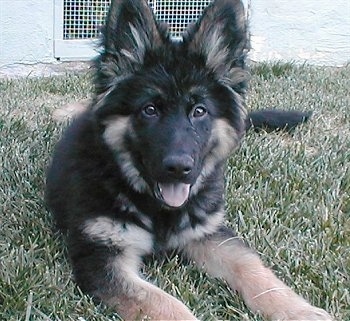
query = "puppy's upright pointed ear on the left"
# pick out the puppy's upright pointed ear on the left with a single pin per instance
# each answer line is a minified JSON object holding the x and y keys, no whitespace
{"x":130,"y":31}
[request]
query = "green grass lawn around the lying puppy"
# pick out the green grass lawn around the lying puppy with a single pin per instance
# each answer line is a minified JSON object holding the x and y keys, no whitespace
{"x":287,"y":196}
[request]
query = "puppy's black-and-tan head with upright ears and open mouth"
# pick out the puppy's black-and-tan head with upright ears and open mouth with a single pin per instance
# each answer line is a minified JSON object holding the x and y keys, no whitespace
{"x":171,"y":111}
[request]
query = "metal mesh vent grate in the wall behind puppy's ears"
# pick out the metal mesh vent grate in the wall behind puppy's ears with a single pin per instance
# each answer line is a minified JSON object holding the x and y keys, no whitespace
{"x":82,"y":19}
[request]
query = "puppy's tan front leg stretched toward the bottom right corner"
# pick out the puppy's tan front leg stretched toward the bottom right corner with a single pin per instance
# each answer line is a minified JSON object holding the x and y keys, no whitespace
{"x":225,"y":256}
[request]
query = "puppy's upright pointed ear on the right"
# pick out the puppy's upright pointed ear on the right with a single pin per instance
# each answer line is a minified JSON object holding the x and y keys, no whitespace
{"x":220,"y":37}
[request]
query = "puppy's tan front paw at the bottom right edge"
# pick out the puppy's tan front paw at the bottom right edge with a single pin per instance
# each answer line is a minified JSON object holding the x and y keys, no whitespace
{"x":302,"y":313}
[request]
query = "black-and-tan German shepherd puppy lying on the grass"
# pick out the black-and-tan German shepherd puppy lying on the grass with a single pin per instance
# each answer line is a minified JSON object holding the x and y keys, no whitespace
{"x":142,"y":170}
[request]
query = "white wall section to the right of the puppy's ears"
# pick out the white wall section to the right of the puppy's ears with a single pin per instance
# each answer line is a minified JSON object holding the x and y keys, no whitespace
{"x":316,"y":31}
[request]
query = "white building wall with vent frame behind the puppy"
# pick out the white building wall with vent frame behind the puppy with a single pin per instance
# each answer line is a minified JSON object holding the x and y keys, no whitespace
{"x":311,"y":31}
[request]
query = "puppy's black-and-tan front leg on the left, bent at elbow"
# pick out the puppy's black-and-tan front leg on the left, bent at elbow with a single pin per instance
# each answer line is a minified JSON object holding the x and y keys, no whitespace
{"x":106,"y":257}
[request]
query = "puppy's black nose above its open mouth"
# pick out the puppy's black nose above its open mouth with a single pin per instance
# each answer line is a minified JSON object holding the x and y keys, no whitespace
{"x":178,"y":166}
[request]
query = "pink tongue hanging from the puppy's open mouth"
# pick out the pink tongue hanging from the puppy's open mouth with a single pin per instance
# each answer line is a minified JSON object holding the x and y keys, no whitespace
{"x":174,"y":194}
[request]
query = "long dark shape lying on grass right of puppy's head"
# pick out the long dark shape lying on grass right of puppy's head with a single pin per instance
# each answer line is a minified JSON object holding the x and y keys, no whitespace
{"x":273,"y":119}
